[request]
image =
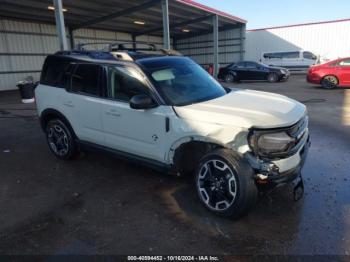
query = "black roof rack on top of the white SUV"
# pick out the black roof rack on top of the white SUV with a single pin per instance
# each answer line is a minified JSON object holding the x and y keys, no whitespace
{"x":121,"y":50}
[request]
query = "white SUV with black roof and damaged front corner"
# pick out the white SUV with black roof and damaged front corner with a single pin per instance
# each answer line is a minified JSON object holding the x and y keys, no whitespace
{"x":167,"y":112}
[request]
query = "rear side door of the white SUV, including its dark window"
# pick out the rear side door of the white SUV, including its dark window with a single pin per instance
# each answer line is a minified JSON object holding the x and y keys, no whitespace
{"x":83,"y":100}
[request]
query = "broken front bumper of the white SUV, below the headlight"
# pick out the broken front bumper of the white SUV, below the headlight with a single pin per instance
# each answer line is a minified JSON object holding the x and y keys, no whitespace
{"x":281,"y":171}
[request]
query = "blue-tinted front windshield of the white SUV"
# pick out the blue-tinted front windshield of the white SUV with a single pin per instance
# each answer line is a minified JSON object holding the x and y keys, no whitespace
{"x":180,"y":81}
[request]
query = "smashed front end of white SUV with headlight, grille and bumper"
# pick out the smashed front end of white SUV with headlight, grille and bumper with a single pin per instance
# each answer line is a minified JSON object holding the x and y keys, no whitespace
{"x":278,"y":155}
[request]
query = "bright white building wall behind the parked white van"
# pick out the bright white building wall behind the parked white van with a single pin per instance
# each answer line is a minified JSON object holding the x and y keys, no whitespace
{"x":329,"y":40}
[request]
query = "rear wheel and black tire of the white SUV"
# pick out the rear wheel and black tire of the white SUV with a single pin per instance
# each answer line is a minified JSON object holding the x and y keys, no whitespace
{"x":61,"y":139}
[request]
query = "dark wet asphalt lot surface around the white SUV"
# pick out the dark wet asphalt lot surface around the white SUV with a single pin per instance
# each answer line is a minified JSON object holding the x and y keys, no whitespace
{"x":101,"y":205}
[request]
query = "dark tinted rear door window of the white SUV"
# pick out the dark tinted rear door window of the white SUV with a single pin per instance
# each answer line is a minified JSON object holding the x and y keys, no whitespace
{"x":86,"y":79}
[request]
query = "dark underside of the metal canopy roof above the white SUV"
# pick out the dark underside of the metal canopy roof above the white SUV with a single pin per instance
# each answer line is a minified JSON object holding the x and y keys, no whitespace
{"x":119,"y":15}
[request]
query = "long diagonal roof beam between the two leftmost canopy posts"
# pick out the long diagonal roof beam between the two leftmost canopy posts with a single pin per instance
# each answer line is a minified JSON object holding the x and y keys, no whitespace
{"x":124,"y":12}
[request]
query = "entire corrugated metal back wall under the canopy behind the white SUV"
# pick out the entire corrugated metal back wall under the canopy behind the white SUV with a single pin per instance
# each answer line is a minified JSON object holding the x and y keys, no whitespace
{"x":24,"y":46}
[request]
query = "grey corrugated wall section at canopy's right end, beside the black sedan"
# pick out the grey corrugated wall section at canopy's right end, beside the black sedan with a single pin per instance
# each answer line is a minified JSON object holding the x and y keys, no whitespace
{"x":200,"y":48}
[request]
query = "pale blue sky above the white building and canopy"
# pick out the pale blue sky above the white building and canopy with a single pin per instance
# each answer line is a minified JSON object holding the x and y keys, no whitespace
{"x":269,"y":13}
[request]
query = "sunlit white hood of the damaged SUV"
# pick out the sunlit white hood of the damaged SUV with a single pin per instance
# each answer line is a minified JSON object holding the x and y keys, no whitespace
{"x":246,"y":109}
